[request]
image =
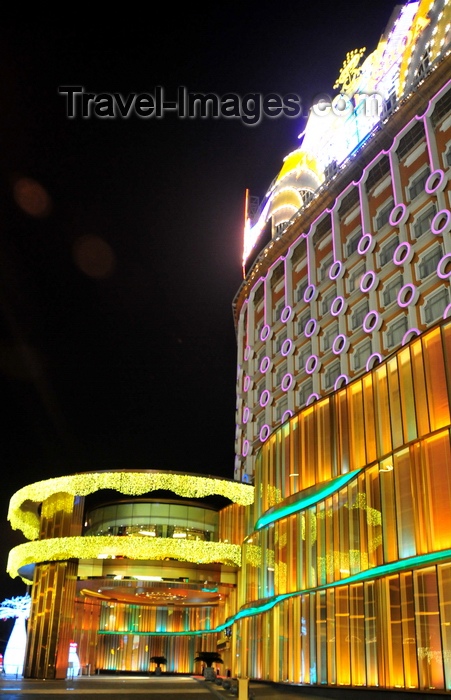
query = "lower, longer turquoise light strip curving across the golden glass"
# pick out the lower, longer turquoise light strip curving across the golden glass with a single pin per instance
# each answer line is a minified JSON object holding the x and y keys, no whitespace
{"x":376,"y":572}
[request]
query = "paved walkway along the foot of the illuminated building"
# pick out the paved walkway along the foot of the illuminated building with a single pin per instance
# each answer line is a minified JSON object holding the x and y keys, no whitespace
{"x":186,"y":687}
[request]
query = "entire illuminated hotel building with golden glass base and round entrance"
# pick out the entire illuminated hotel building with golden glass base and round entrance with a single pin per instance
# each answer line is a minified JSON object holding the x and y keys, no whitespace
{"x":330,"y":565}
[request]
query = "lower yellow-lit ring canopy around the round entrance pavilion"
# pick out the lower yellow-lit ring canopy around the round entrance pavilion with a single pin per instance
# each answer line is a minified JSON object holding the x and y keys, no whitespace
{"x":132,"y":547}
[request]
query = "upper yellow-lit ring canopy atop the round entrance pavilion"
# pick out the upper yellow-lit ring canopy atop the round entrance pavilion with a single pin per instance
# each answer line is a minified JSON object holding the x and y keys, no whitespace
{"x":23,"y":506}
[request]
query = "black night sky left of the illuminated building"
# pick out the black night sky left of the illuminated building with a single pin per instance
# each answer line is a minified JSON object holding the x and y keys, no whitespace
{"x":120,"y":238}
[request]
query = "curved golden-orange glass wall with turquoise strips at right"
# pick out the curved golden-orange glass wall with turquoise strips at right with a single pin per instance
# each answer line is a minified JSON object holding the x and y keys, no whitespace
{"x":354,"y":581}
